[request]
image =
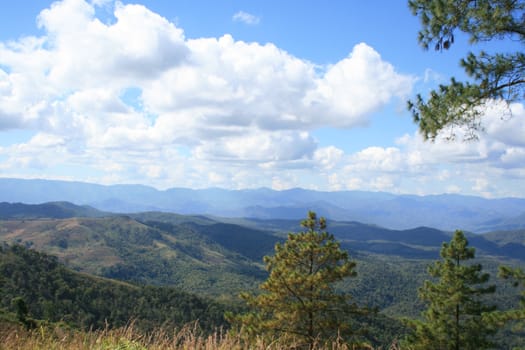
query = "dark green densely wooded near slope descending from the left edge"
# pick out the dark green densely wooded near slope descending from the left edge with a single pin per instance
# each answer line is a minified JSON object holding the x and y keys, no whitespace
{"x":55,"y":293}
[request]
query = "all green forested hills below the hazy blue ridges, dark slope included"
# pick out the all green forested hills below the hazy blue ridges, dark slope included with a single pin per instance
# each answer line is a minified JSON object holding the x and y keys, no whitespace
{"x":209,"y":257}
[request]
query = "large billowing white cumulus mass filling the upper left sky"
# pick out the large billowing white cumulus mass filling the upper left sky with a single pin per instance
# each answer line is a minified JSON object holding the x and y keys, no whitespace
{"x":210,"y":93}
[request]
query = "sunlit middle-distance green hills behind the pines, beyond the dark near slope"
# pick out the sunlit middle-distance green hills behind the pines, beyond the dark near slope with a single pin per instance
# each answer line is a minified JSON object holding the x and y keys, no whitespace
{"x":220,"y":258}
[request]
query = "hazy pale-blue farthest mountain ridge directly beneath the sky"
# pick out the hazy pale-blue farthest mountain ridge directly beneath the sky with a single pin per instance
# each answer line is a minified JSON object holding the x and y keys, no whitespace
{"x":445,"y":212}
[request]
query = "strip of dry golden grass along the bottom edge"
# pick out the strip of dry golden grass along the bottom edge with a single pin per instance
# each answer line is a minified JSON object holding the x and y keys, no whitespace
{"x":61,"y":338}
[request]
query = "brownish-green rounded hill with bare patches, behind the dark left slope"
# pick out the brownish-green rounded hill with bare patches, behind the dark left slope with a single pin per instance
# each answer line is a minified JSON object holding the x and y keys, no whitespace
{"x":123,"y":248}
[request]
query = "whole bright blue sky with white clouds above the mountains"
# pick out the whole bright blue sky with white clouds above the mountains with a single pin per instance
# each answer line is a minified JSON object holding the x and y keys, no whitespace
{"x":239,"y":94}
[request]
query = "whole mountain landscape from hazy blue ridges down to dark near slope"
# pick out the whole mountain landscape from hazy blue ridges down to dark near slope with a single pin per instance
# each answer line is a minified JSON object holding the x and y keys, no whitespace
{"x":144,"y":245}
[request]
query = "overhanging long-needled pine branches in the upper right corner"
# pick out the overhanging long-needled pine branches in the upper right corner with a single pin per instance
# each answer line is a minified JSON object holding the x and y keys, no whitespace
{"x":498,"y":76}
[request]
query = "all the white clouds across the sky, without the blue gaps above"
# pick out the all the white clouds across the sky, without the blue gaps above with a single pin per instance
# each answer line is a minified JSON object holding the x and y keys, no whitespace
{"x":134,"y":100}
